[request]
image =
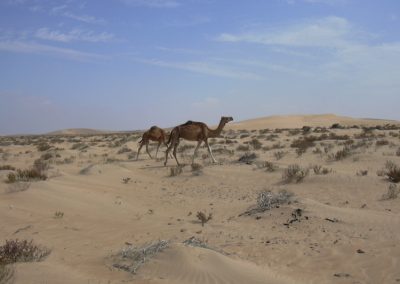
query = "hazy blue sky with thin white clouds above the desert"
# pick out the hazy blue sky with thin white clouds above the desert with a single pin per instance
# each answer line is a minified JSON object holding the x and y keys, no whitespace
{"x":131,"y":64}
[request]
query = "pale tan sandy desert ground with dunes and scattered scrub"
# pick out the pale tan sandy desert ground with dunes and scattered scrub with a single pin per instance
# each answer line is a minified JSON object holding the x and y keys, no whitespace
{"x":348,"y":231}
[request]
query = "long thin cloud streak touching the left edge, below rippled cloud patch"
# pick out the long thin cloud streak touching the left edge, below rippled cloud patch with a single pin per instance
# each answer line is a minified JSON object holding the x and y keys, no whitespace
{"x":36,"y":48}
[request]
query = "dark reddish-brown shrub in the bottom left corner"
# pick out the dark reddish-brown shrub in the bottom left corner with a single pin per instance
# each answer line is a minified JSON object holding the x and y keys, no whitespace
{"x":21,"y":251}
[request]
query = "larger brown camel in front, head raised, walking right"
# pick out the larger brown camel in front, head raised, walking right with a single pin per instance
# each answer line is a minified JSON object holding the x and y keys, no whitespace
{"x":194,"y":131}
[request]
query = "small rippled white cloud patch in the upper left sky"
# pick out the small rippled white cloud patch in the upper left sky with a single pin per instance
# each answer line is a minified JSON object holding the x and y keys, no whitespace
{"x":73,"y":35}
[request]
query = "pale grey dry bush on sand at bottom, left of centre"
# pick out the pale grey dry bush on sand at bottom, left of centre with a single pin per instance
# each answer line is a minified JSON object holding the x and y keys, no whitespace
{"x":131,"y":258}
